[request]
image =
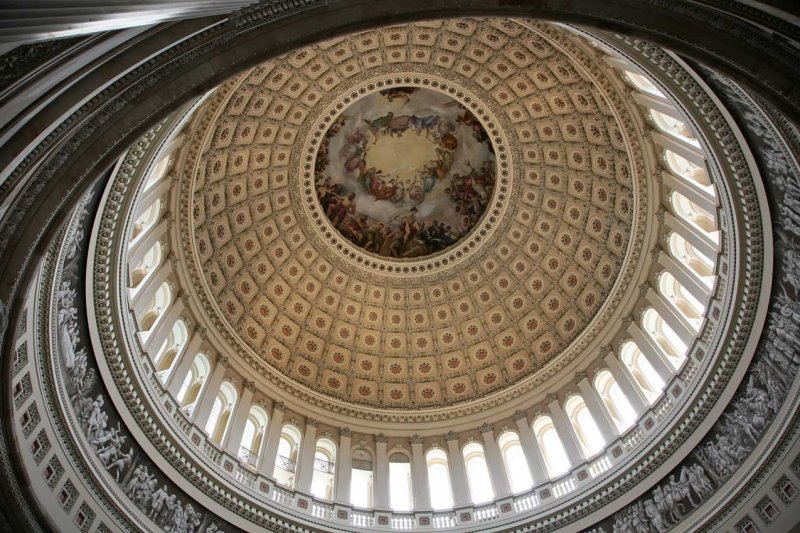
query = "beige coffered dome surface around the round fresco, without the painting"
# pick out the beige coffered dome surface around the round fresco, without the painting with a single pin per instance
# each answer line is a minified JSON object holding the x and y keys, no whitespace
{"x":333,"y":319}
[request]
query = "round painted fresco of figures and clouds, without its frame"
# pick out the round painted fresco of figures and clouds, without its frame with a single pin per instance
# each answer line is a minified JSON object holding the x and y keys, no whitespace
{"x":405,"y":172}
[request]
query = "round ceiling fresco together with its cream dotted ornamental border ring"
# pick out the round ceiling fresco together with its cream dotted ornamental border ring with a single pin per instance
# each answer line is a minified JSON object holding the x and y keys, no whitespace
{"x":404,"y":201}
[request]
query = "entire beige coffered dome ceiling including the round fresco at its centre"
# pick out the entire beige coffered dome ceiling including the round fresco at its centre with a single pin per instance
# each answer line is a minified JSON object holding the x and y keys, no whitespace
{"x":416,"y":215}
